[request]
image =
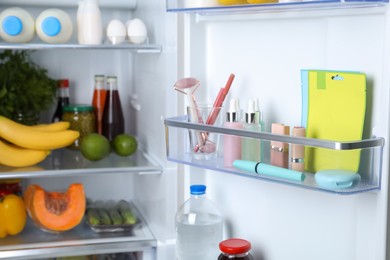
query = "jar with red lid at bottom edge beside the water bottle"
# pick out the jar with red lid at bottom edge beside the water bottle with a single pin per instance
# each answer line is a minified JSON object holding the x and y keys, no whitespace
{"x":235,"y":248}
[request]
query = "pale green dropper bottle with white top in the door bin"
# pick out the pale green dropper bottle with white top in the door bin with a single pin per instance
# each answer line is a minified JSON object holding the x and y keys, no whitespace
{"x":251,"y":147}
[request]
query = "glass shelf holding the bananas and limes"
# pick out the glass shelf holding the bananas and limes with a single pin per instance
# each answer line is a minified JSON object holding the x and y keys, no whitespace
{"x":67,"y":162}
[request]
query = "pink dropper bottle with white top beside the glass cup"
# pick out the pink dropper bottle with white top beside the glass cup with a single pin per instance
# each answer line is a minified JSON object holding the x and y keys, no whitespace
{"x":232,"y":143}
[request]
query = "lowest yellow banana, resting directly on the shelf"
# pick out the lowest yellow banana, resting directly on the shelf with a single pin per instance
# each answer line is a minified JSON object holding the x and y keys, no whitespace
{"x":14,"y":156}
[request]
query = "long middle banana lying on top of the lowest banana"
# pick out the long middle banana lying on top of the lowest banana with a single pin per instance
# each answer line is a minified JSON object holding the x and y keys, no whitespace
{"x":28,"y":137}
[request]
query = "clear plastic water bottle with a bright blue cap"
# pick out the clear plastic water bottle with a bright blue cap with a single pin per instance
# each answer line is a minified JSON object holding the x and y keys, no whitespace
{"x":199,"y":227}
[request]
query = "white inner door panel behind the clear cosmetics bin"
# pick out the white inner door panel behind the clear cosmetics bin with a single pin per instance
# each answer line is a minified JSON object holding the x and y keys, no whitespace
{"x":266,"y":52}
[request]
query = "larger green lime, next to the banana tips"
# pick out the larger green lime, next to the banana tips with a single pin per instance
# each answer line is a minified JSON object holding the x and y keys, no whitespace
{"x":94,"y":147}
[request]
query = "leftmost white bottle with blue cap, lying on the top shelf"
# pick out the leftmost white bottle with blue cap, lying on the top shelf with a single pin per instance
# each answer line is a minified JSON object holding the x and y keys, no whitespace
{"x":16,"y":25}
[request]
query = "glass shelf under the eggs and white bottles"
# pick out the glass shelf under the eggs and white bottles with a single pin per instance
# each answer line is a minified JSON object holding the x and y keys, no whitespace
{"x":139,"y":48}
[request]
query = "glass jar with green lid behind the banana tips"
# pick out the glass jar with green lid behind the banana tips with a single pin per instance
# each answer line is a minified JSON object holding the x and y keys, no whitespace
{"x":82,"y":119}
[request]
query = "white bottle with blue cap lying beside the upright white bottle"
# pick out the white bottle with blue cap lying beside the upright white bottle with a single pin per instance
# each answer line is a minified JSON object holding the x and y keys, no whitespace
{"x":54,"y":26}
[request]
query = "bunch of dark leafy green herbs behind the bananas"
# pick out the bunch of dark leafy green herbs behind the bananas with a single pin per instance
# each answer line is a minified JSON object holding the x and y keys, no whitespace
{"x":25,"y":88}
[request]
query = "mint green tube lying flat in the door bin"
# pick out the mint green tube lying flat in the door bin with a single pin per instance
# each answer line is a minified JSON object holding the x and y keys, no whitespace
{"x":269,"y":170}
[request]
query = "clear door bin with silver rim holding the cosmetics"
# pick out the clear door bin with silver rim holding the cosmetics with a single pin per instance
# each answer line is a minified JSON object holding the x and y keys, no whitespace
{"x":371,"y":152}
